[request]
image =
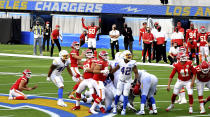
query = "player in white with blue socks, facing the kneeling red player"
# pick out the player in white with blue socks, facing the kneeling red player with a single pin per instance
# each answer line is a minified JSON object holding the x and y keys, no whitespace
{"x":54,"y":74}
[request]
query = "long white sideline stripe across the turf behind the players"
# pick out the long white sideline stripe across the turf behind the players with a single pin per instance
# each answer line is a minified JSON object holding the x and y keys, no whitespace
{"x":48,"y":57}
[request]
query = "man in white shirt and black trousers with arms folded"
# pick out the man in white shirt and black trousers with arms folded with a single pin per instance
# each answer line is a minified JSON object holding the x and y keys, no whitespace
{"x":114,"y":35}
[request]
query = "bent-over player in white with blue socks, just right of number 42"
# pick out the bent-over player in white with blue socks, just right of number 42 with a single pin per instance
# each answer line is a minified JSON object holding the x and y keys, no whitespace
{"x":148,"y":88}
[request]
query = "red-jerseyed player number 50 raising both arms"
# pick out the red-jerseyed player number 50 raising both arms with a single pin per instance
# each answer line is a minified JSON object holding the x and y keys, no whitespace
{"x":92,"y":31}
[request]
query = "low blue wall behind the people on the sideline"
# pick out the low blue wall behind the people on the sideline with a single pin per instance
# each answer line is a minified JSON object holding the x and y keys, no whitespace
{"x":103,"y":42}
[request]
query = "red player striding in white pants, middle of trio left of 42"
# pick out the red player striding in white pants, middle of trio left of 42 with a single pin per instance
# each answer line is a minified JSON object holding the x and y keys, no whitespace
{"x":88,"y":66}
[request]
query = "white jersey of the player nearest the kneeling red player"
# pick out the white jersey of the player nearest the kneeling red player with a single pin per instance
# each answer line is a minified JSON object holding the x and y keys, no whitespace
{"x":60,"y":66}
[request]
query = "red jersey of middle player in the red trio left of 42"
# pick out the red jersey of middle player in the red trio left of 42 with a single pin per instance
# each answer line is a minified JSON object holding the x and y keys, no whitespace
{"x":87,"y":64}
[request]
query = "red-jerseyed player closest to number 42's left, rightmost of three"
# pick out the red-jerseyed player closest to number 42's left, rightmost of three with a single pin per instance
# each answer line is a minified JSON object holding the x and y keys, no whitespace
{"x":100,"y":71}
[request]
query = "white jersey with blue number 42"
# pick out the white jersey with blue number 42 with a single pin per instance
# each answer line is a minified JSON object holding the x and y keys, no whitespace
{"x":126,"y":70}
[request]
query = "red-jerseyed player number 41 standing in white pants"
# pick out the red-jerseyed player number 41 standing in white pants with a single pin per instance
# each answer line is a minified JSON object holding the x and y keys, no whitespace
{"x":185,"y":70}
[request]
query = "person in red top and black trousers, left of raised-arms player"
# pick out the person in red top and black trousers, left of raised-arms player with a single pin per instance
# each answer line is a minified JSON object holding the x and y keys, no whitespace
{"x":54,"y":39}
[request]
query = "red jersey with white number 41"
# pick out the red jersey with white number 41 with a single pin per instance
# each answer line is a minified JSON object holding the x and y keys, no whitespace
{"x":184,"y":71}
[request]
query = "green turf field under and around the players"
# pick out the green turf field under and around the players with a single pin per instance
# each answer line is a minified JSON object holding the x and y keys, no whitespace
{"x":11,"y":68}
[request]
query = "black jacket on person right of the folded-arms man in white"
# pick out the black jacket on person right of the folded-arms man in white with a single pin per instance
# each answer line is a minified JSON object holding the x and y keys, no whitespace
{"x":128,"y":37}
